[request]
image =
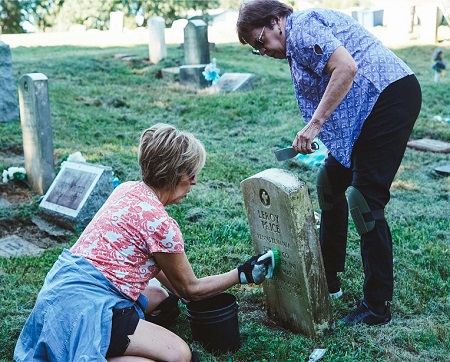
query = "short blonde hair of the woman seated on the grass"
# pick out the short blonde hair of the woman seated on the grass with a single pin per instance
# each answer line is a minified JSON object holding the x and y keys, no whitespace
{"x":166,"y":154}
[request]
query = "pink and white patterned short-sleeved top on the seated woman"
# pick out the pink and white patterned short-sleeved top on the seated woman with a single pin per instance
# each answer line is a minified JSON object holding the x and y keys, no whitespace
{"x":123,"y":235}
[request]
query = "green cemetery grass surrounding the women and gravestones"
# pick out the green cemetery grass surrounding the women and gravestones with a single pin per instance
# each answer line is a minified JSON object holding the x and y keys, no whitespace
{"x":99,"y":106}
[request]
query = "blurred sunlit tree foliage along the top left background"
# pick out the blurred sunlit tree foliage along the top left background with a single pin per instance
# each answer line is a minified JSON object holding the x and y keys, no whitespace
{"x":61,"y":14}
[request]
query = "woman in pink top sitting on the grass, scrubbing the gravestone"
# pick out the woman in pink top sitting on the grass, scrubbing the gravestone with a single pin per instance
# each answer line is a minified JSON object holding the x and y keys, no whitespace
{"x":96,"y":298}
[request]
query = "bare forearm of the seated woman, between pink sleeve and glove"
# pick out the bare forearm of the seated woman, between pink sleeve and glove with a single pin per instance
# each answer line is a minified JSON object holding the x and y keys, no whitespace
{"x":178,"y":271}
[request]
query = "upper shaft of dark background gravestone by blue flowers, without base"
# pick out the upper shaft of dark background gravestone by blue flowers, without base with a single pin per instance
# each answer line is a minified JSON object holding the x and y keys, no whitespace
{"x":196,"y":45}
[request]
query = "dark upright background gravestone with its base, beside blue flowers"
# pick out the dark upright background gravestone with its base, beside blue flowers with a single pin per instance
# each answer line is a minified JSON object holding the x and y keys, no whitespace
{"x":196,"y":54}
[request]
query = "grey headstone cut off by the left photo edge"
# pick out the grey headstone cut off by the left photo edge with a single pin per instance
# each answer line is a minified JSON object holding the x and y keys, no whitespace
{"x":9,"y":110}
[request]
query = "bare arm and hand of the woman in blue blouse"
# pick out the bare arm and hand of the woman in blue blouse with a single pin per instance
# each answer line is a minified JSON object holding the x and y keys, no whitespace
{"x":342,"y":68}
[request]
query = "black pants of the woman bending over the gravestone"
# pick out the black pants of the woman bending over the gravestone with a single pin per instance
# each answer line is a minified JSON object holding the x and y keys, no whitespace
{"x":376,"y":158}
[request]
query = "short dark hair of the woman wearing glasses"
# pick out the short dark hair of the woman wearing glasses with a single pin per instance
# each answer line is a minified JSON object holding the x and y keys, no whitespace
{"x":258,"y":13}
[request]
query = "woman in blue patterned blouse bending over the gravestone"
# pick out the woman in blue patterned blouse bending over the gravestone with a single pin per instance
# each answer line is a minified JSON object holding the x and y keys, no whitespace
{"x":362,"y":101}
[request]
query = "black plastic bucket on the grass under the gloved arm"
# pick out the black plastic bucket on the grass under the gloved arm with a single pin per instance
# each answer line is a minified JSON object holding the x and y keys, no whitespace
{"x":214,"y":323}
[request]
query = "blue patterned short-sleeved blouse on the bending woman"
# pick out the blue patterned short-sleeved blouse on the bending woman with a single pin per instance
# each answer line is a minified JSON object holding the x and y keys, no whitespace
{"x":377,"y":68}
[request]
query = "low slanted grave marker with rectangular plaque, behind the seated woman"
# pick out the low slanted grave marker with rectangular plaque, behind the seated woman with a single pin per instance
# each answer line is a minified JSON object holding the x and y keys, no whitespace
{"x":77,"y":193}
